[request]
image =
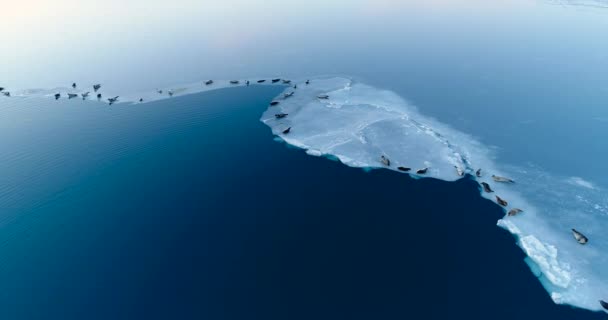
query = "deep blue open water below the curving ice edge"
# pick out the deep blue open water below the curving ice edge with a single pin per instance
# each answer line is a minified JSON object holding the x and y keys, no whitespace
{"x":188,"y":209}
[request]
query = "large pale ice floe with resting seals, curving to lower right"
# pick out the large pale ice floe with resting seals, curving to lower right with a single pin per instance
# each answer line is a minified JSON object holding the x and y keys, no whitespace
{"x":358,"y":124}
